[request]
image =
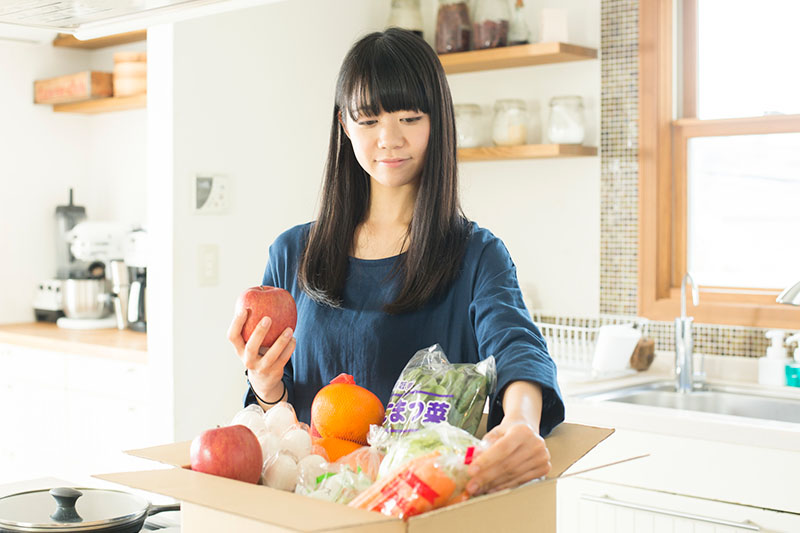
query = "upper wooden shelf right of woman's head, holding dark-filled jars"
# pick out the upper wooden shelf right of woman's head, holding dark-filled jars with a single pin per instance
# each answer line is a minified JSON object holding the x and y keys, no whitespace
{"x":523,"y":55}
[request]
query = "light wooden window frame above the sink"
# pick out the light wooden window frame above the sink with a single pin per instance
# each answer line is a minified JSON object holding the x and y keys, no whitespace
{"x":662,"y":180}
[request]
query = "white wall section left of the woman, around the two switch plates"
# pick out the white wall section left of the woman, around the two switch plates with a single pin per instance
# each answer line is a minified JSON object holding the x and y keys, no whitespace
{"x":252,"y":97}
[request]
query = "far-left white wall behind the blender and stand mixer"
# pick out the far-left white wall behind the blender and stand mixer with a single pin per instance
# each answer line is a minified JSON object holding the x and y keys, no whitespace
{"x":43,"y":154}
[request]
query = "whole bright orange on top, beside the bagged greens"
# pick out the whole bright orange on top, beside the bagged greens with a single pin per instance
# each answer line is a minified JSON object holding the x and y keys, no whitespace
{"x":345,"y":411}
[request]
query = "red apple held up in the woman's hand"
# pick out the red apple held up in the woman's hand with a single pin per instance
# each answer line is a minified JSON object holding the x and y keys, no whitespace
{"x":263,"y":301}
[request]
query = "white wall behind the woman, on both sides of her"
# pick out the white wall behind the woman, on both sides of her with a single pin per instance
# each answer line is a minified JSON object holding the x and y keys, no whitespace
{"x":252,"y":93}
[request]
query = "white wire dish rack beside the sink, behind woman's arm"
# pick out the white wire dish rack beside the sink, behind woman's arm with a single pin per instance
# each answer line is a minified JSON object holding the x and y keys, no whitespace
{"x":571,"y":340}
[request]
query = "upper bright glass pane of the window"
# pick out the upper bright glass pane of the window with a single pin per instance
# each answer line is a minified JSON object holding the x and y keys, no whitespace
{"x":747,"y":58}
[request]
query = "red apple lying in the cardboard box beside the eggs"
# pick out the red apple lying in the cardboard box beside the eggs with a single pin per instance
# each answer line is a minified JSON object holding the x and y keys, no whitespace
{"x":230,"y":451}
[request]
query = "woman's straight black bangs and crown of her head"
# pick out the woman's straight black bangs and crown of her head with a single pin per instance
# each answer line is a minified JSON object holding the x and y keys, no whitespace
{"x":382,"y":78}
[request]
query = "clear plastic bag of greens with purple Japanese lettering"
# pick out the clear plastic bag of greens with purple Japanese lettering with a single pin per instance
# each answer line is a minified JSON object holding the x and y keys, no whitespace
{"x":431,"y":390}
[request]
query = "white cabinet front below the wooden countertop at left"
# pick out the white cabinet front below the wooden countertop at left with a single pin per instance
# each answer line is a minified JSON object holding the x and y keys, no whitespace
{"x":66,"y":415}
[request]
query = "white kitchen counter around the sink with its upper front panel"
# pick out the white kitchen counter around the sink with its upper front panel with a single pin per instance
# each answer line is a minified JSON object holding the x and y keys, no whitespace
{"x":733,"y":459}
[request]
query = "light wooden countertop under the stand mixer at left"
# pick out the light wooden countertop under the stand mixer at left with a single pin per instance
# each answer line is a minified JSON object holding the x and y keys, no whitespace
{"x":124,"y":345}
